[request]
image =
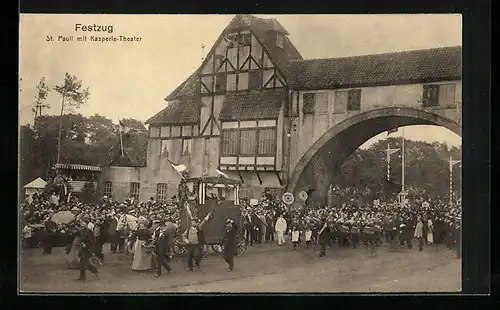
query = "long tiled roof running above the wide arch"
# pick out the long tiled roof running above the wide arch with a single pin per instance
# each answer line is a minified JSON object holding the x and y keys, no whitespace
{"x":418,"y":66}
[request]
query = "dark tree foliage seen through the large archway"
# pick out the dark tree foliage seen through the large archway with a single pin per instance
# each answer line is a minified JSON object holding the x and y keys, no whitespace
{"x":426,"y":166}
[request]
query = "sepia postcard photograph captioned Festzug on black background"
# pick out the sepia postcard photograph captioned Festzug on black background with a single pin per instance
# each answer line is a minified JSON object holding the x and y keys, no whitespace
{"x":240,"y":153}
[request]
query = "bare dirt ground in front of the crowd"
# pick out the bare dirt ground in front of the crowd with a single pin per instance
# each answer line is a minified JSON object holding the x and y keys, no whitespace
{"x":263,"y":268}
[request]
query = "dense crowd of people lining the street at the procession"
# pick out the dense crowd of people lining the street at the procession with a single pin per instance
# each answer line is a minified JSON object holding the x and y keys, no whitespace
{"x":147,"y":229}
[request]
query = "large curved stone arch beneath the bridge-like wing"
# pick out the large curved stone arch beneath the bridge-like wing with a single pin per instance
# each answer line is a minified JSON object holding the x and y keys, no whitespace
{"x":327,"y":154}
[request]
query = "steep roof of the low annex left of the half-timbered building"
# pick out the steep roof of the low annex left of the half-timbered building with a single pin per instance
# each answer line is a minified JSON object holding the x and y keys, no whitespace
{"x":135,"y":149}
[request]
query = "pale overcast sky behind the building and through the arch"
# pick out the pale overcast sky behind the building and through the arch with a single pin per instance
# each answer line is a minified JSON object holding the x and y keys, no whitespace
{"x":131,"y":79}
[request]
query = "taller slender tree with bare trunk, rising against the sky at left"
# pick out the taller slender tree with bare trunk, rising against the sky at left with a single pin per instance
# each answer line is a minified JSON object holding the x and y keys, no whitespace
{"x":72,"y":96}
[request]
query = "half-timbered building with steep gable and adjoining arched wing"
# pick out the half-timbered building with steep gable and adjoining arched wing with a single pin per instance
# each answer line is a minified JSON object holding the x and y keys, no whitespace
{"x":254,"y":106}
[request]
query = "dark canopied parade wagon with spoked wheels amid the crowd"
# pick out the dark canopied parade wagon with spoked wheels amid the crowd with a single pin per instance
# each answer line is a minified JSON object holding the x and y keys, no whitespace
{"x":199,"y":196}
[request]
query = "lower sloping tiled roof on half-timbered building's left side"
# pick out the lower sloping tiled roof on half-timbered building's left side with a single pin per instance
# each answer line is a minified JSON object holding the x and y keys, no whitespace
{"x":185,"y":110}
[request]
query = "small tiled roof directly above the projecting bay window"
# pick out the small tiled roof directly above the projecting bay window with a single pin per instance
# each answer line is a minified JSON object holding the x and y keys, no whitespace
{"x":253,"y":105}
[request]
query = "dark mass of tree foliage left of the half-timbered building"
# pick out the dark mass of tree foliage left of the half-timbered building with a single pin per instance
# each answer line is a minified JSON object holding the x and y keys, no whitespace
{"x":85,"y":140}
